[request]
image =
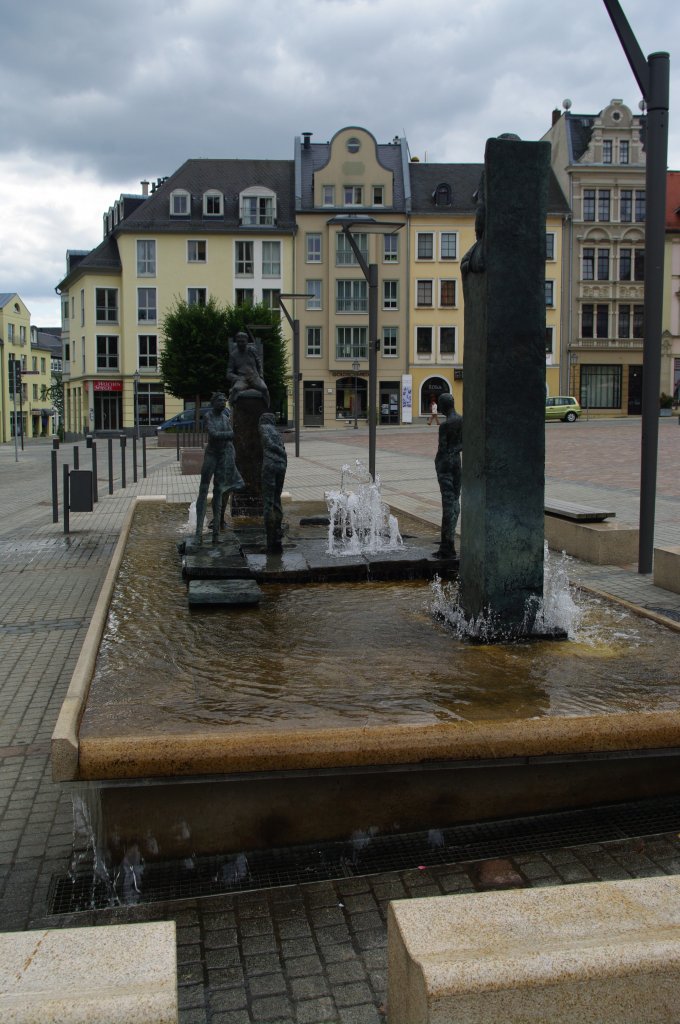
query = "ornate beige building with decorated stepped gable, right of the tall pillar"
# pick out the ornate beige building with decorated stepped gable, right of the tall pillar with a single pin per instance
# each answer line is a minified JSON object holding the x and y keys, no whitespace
{"x":600,"y":162}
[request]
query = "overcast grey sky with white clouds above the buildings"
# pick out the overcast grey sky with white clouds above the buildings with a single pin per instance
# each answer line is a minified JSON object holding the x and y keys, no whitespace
{"x":97,"y":96}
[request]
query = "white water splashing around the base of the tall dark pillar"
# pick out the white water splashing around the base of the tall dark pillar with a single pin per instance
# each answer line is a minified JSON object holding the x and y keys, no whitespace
{"x":558,"y":611}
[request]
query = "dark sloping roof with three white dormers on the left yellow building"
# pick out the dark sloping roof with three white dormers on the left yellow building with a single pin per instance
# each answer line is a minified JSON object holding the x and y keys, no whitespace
{"x":228,"y":177}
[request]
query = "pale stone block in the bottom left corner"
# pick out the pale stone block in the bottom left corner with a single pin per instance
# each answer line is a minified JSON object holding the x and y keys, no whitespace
{"x":123,"y":974}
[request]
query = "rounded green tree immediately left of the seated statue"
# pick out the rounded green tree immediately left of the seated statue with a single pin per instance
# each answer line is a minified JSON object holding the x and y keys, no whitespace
{"x":196,"y":353}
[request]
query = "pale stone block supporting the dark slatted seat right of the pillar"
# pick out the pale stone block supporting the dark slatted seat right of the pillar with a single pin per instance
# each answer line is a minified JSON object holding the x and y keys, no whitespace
{"x":598,"y":543}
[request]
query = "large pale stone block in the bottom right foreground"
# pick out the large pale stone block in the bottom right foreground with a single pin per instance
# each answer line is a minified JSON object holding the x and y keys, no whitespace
{"x":597,"y":953}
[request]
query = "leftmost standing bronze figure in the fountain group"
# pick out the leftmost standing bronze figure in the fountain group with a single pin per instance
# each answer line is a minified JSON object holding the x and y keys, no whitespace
{"x":219,"y":464}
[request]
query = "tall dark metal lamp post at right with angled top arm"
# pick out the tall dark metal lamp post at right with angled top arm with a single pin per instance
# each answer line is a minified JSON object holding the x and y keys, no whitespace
{"x":653,"y":77}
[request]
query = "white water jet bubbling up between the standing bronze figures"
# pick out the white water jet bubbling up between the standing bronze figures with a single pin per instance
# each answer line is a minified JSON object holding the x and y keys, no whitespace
{"x":360,"y":521}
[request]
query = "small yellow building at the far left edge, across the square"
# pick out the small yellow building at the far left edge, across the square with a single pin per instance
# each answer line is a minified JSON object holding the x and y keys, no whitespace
{"x":28,"y":411}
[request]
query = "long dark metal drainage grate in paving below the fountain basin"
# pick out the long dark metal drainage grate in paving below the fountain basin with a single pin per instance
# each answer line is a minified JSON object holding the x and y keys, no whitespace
{"x":90,"y":888}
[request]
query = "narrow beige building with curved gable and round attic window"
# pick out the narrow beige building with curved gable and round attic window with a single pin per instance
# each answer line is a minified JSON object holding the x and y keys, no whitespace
{"x":356,"y":182}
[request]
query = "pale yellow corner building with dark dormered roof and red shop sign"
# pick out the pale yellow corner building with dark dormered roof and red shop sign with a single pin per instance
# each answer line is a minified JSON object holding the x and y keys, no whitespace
{"x":220,"y":229}
